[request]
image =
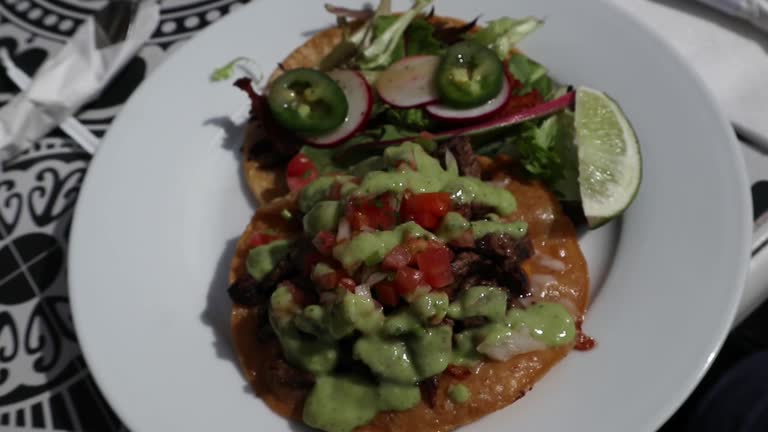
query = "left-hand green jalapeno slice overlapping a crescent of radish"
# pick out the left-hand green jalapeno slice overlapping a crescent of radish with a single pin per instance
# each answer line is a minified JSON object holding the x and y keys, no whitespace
{"x":307,"y":101}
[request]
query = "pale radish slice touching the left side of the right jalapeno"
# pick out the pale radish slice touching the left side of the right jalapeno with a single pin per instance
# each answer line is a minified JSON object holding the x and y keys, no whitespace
{"x":409,"y":82}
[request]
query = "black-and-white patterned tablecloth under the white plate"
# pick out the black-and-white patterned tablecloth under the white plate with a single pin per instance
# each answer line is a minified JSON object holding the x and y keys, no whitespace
{"x":44,"y":383}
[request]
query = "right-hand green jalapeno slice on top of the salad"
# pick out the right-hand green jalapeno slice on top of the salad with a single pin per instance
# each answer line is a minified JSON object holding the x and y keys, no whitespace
{"x":469,"y":75}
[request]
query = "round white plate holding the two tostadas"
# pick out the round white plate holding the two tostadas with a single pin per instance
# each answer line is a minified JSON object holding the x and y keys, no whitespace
{"x":163,"y":202}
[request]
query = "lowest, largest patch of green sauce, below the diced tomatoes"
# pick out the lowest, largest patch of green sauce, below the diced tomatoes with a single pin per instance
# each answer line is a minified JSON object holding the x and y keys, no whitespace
{"x":400,"y":349}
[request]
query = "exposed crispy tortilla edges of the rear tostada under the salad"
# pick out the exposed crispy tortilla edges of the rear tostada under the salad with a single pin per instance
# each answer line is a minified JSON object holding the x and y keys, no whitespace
{"x":267,"y":183}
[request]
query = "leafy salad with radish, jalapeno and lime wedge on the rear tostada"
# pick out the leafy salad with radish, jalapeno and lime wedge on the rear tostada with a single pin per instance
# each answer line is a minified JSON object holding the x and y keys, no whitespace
{"x":400,"y":77}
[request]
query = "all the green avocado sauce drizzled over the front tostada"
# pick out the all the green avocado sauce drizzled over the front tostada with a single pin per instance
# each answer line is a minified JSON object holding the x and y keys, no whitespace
{"x":410,"y":343}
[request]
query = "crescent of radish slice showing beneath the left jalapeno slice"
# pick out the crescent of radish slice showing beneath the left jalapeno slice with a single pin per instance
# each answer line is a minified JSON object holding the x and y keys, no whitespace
{"x":360,"y":100}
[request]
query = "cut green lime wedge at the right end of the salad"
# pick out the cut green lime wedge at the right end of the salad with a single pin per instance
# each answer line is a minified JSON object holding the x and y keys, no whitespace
{"x":609,"y":157}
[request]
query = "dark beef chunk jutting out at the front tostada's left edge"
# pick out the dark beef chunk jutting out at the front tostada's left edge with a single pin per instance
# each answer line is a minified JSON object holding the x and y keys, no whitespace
{"x":247,"y":291}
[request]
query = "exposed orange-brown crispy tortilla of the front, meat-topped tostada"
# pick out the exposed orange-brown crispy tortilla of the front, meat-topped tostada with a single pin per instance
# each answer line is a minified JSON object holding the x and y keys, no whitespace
{"x":557,"y":271}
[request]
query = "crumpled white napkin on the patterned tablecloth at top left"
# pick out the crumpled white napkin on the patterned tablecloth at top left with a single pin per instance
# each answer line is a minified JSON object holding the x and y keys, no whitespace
{"x":69,"y":80}
